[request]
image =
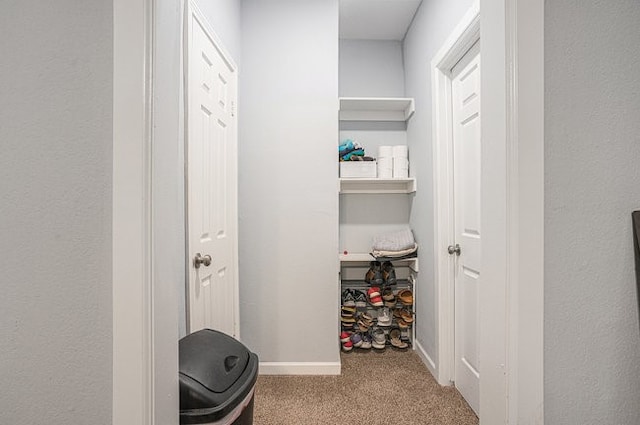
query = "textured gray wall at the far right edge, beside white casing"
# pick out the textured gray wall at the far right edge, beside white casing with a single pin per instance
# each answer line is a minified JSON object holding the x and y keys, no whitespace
{"x":592,"y":183}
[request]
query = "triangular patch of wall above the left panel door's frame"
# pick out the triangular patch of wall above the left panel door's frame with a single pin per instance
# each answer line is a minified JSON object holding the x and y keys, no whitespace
{"x":224,"y":17}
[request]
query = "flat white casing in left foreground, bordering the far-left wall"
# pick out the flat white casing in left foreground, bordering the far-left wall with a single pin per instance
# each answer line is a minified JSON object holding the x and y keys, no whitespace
{"x":133,"y":343}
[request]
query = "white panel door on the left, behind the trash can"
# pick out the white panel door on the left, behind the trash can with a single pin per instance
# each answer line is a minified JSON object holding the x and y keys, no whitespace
{"x":212,"y":184}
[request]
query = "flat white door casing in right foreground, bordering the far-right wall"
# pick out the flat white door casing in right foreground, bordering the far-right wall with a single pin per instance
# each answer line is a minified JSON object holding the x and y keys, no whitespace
{"x":525,"y":211}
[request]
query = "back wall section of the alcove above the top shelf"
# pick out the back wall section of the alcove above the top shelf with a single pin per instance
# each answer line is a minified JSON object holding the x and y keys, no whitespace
{"x":371,"y":68}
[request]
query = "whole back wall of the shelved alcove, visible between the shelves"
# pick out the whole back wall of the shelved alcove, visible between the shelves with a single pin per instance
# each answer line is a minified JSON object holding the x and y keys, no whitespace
{"x":371,"y":68}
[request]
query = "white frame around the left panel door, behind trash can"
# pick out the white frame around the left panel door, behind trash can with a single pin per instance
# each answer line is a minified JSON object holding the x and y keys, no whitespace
{"x":192,"y":9}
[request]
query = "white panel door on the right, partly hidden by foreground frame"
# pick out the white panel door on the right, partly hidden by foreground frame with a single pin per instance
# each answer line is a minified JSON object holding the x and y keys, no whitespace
{"x":467,"y":143}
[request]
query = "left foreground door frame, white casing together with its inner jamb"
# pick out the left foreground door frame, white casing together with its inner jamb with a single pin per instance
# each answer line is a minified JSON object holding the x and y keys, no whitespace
{"x":145,"y":139}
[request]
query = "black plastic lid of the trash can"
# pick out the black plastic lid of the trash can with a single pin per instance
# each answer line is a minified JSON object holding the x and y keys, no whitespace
{"x":213,"y":359}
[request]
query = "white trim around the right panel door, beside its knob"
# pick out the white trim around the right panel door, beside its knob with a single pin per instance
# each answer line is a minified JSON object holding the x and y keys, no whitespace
{"x":464,"y":36}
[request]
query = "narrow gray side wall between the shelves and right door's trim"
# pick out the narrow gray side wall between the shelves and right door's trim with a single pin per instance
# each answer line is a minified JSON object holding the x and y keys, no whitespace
{"x":433,"y":23}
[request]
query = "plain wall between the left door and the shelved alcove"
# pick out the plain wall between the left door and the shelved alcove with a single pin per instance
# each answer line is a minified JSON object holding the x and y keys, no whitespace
{"x":288,"y":127}
